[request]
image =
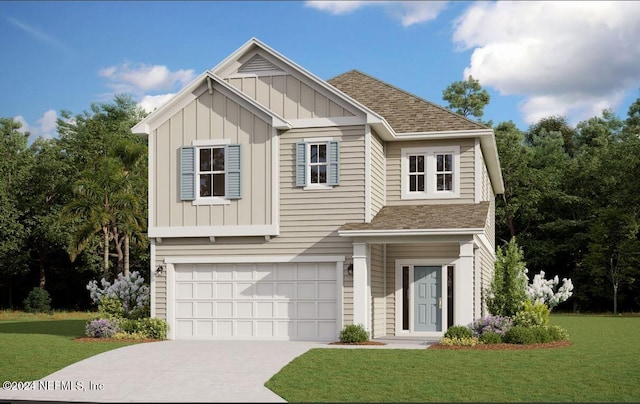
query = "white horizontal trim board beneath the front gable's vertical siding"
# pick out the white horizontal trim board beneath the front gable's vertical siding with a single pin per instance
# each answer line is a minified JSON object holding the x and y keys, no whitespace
{"x":214,"y":231}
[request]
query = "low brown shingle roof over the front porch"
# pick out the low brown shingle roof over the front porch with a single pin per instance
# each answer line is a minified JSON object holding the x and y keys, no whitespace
{"x":426,"y":217}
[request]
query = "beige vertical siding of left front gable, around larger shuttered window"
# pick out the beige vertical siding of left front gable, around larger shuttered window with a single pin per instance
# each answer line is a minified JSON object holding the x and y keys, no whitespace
{"x":213,"y":116}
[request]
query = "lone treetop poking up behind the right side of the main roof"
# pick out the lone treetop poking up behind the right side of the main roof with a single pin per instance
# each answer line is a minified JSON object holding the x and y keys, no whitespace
{"x":467,"y":97}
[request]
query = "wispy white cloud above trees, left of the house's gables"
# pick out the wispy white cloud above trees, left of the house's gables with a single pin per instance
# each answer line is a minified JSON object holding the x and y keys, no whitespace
{"x":143,"y":78}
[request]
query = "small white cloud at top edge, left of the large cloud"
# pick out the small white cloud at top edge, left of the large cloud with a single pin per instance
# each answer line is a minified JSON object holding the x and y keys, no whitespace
{"x":408,"y":12}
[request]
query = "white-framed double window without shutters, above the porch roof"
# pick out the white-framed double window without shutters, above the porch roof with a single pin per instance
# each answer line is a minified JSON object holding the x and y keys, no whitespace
{"x":430,"y":172}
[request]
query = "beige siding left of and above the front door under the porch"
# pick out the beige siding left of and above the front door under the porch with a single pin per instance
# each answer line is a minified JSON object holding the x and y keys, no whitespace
{"x":408,"y":251}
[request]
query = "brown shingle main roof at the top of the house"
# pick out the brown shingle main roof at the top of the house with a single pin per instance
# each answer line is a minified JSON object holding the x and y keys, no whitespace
{"x":405,"y":112}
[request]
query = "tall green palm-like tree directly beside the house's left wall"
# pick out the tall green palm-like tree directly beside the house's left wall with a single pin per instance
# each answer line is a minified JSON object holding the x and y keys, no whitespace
{"x":111,"y":191}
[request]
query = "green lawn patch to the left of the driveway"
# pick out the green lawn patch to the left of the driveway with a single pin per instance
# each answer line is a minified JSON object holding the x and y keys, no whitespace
{"x":35,"y":345}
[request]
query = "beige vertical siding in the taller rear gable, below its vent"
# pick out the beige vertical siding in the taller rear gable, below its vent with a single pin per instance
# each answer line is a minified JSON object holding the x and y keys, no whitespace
{"x":288,"y":97}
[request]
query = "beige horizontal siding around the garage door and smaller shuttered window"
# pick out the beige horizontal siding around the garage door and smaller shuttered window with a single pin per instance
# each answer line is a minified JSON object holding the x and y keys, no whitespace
{"x":309,"y":220}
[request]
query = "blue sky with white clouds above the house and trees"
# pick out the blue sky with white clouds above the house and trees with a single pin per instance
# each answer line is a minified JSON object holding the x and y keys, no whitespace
{"x":535,"y":58}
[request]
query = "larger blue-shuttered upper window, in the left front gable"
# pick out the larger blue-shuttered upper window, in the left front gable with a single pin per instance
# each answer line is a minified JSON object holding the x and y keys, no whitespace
{"x":210,"y":173}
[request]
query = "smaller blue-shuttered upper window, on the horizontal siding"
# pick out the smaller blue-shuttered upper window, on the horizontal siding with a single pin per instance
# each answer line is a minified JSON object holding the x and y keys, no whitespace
{"x":317,"y":164}
